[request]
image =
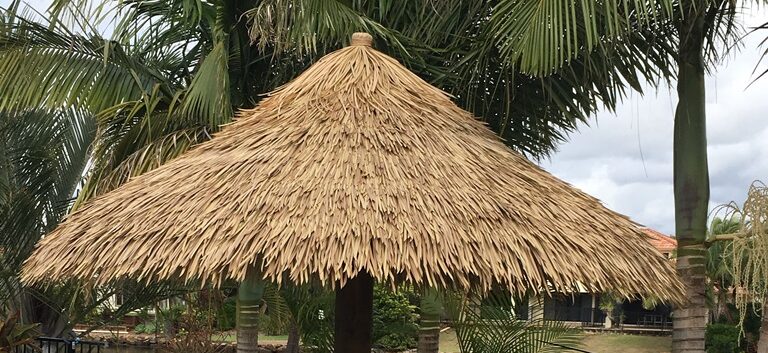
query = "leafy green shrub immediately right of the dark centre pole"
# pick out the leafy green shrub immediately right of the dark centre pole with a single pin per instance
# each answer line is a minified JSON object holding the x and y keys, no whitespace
{"x":394,"y":319}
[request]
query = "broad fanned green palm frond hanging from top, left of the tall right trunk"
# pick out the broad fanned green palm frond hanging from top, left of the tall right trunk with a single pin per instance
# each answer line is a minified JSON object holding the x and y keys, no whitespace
{"x":541,"y":36}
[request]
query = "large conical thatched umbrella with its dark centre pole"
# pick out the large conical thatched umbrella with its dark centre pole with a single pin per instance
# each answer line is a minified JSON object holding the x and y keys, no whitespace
{"x":357,"y":170}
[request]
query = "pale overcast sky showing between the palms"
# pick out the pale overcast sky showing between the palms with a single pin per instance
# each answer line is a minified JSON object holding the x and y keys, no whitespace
{"x":626,"y":159}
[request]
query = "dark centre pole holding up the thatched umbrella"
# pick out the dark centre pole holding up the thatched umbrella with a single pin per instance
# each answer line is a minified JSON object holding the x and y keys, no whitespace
{"x":354,"y":315}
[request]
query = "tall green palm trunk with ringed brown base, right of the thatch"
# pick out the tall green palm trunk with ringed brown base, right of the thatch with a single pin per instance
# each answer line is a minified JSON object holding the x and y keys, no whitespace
{"x":691,"y":180}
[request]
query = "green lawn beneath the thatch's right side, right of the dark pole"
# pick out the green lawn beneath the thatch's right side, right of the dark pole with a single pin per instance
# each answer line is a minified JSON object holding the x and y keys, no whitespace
{"x":594,"y":343}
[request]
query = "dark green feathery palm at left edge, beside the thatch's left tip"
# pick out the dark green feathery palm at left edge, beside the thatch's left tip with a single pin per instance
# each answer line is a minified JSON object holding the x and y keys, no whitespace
{"x":42,"y":156}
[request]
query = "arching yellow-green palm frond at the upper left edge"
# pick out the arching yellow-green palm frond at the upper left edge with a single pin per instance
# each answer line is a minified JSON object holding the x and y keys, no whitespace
{"x":62,"y":68}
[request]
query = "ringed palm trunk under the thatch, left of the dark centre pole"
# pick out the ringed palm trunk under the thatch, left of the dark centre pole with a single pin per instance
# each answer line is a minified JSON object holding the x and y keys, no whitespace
{"x":249,"y":297}
